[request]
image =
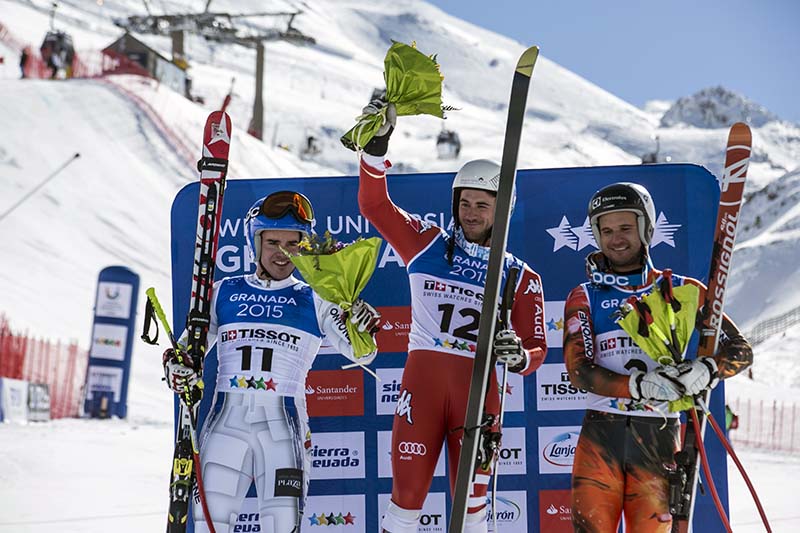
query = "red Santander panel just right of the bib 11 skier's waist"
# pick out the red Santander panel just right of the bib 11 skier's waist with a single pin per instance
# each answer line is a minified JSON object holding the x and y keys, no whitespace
{"x":335,"y":393}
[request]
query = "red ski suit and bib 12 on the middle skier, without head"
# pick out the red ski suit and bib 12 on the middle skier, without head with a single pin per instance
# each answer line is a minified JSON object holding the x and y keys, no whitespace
{"x":446,"y":300}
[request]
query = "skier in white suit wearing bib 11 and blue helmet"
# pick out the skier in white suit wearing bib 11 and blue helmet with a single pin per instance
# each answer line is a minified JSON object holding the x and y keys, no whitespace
{"x":268,"y":327}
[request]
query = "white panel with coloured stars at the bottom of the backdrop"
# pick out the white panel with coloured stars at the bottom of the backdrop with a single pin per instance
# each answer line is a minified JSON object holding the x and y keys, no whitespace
{"x":334,"y":513}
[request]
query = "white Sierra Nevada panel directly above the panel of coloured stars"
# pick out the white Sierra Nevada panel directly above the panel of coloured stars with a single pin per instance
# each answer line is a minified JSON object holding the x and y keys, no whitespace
{"x":337,"y":455}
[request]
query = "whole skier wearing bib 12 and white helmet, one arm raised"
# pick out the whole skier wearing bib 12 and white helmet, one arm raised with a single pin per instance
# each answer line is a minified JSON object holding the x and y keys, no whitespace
{"x":447,"y":276}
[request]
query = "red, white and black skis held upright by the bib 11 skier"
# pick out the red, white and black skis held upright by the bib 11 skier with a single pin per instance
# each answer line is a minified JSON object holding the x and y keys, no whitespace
{"x":186,"y":474}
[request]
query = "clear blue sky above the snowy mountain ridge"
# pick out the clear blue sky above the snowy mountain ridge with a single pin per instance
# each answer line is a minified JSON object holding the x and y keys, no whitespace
{"x":660,"y":49}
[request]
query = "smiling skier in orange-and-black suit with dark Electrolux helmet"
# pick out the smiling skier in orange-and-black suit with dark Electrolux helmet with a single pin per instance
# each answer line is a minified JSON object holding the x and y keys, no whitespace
{"x":628,"y":438}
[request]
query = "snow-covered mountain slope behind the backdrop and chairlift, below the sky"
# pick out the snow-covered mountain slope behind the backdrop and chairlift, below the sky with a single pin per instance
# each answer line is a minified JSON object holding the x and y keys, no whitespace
{"x":112,"y":203}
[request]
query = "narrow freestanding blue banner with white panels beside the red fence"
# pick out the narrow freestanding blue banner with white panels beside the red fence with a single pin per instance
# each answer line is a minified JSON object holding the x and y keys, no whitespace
{"x":112,"y":343}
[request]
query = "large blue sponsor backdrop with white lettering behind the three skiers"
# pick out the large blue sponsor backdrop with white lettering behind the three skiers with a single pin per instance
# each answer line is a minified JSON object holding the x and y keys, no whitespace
{"x":351,"y":412}
